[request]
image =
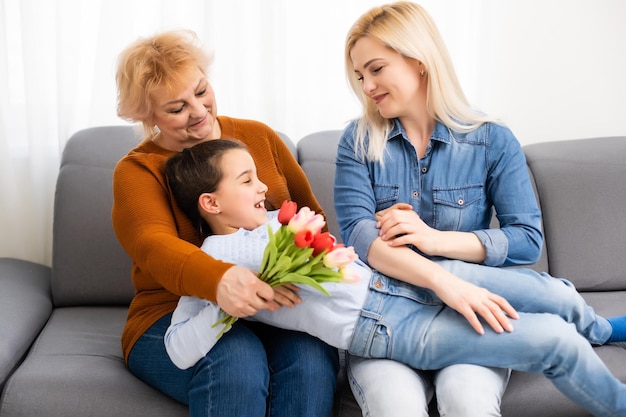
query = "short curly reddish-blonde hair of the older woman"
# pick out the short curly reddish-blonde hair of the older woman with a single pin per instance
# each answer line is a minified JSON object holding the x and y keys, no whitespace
{"x":151,"y":64}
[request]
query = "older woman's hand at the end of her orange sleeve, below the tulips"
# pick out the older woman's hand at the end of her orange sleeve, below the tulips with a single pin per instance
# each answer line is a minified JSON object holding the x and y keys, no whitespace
{"x":241,"y":293}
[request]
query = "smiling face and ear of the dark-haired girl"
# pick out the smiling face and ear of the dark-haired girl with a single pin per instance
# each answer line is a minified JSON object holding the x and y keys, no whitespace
{"x":239,"y":201}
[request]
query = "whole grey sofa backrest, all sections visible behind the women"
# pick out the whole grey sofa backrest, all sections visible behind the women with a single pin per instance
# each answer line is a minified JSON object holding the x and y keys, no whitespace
{"x":580,"y":185}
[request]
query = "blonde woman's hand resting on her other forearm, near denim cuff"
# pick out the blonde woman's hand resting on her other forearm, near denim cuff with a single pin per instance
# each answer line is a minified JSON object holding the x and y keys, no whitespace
{"x":399,"y":225}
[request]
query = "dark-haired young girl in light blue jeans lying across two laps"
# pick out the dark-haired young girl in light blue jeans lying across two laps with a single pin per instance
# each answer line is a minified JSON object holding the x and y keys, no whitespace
{"x":380,"y":317}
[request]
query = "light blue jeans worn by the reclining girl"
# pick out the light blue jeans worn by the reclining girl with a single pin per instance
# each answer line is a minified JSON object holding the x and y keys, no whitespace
{"x":411,"y":325}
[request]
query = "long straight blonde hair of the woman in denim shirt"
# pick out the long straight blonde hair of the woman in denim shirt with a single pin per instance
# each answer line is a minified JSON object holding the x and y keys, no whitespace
{"x":408,"y":29}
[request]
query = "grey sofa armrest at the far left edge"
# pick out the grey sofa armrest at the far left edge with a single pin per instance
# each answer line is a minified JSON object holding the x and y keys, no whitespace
{"x":25,"y":306}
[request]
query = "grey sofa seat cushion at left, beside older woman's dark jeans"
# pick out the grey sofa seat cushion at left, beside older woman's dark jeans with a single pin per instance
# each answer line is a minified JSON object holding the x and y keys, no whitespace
{"x":76,"y":368}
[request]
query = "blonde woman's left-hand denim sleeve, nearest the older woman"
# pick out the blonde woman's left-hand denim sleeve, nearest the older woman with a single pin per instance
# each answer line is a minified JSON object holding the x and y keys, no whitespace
{"x":355,"y":203}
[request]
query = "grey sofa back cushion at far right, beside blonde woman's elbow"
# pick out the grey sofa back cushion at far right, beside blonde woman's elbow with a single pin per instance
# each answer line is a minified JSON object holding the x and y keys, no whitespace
{"x":582,"y":189}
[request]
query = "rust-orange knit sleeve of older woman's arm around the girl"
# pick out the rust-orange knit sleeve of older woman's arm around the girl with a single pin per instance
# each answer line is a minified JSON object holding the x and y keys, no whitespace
{"x":160,"y":240}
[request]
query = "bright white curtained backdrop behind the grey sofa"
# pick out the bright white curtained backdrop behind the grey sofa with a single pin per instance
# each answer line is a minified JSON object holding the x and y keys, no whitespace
{"x":552,"y":69}
